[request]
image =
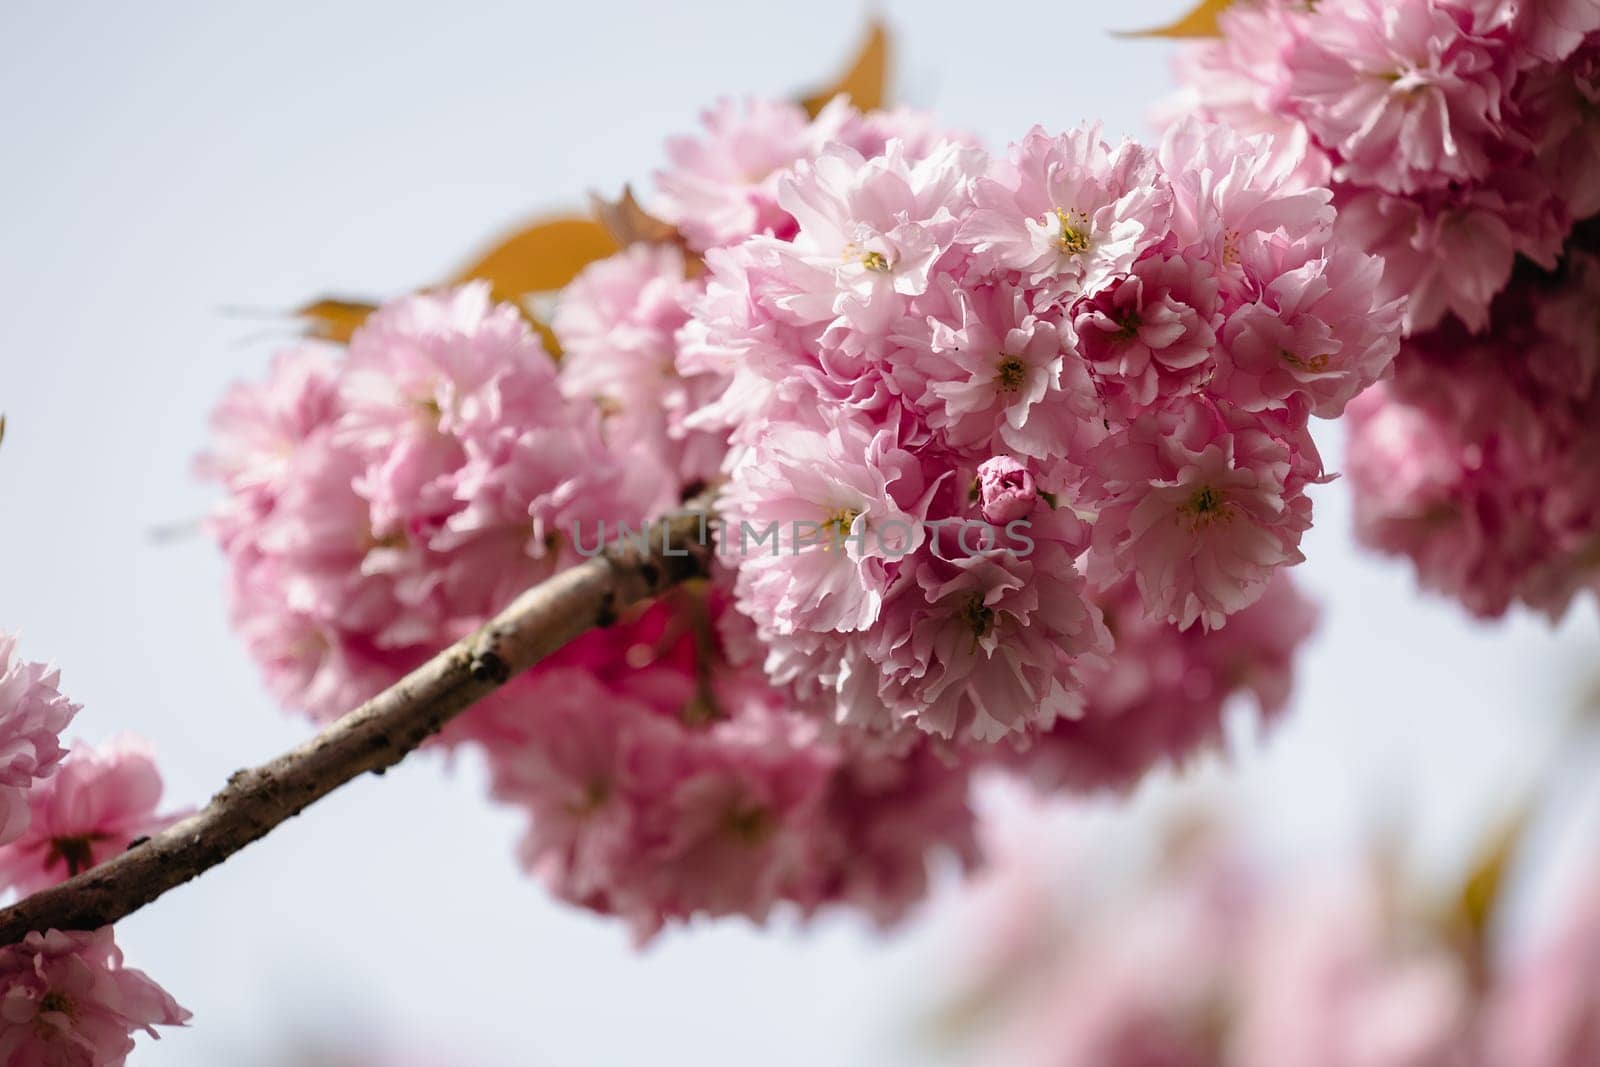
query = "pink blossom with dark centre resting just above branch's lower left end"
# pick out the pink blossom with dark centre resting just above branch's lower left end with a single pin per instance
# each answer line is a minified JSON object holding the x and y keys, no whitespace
{"x":87,"y":813}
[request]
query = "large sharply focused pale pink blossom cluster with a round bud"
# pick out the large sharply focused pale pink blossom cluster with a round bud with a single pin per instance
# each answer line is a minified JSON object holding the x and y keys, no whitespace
{"x":1113,"y":350}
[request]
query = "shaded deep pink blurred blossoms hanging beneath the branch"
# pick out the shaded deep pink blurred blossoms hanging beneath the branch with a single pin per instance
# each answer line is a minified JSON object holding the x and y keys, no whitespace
{"x":658,"y":802}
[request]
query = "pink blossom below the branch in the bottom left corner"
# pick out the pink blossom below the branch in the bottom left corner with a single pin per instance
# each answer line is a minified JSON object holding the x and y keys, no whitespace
{"x":66,"y":999}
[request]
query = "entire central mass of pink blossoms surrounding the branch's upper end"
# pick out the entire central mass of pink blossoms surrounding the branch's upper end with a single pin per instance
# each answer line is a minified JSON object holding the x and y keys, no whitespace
{"x":1014,"y":406}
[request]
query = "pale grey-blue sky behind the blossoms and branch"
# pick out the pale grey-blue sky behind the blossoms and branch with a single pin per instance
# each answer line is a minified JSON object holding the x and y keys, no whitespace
{"x":178,"y":174}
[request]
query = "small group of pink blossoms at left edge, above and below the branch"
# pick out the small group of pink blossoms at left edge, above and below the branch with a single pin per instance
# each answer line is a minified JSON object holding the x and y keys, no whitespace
{"x":66,"y":996}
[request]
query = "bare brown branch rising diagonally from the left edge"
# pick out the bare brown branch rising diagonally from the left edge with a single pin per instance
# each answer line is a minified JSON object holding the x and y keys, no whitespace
{"x":377,"y":735}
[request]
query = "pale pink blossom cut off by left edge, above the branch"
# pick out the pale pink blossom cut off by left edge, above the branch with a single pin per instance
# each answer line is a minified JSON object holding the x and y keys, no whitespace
{"x":33,"y":716}
